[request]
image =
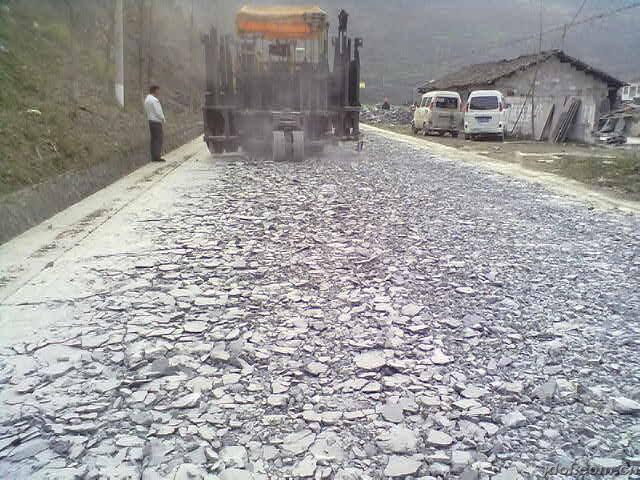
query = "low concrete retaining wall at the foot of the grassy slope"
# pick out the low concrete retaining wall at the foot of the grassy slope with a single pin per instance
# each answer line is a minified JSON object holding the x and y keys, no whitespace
{"x":30,"y":206}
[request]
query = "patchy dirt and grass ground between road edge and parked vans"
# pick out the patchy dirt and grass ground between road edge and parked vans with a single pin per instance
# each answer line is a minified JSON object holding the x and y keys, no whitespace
{"x":614,"y":169}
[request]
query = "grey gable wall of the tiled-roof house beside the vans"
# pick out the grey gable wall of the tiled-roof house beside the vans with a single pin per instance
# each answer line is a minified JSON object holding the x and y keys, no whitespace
{"x":556,"y":82}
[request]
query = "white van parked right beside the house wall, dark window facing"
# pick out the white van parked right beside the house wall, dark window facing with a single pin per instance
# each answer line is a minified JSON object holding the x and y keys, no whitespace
{"x":484,"y":114}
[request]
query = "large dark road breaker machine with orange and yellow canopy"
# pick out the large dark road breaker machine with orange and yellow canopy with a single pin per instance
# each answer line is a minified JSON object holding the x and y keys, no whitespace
{"x":271,"y":91}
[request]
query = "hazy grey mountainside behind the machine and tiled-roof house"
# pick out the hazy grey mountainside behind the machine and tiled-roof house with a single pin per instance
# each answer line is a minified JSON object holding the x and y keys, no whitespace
{"x":408,"y":42}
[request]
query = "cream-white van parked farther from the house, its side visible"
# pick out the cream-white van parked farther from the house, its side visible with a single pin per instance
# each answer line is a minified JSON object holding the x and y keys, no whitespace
{"x":438,"y":112}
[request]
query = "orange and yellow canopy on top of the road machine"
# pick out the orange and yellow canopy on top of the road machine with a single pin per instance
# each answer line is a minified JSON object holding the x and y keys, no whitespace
{"x":282,"y":22}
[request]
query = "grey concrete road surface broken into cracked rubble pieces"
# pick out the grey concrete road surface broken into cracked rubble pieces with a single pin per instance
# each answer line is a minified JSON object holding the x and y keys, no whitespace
{"x":384,"y":314}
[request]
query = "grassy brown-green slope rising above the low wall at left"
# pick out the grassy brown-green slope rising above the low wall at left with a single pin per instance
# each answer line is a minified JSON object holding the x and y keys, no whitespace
{"x":58,"y":111}
